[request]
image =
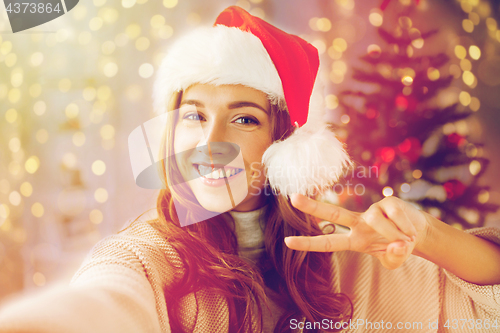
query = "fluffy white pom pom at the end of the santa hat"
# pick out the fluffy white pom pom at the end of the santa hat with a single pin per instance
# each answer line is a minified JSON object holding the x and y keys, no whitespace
{"x":307,"y":162}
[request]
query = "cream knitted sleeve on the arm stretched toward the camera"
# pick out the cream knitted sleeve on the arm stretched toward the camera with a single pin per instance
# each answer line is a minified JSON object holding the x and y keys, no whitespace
{"x":117,"y":289}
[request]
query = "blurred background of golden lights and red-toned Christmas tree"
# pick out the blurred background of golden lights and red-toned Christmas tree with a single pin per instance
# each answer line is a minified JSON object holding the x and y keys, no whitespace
{"x":422,"y":107}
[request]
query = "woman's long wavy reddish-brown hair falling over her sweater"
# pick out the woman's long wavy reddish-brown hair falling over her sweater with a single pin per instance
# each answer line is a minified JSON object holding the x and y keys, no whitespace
{"x":304,"y":279}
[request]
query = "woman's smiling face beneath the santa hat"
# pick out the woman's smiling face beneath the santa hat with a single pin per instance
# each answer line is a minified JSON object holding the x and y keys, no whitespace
{"x":227,"y":127}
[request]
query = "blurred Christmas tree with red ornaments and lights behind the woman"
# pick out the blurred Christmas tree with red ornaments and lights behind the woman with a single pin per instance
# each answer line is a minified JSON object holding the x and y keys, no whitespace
{"x":406,"y":145}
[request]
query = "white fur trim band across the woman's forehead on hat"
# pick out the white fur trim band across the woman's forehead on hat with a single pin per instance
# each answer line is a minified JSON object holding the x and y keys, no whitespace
{"x":217,"y":55}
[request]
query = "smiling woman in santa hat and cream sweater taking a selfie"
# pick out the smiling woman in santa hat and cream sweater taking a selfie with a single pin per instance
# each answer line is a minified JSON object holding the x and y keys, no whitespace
{"x":235,"y":247}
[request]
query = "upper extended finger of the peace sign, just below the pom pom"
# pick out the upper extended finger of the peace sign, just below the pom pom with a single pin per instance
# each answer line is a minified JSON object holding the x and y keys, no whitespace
{"x":324,"y":211}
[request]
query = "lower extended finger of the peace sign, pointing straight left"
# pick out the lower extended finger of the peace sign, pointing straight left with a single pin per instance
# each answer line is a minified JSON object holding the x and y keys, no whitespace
{"x":322,"y":243}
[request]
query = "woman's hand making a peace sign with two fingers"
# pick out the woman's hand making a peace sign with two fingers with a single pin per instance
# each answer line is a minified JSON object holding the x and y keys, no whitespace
{"x":389,"y":230}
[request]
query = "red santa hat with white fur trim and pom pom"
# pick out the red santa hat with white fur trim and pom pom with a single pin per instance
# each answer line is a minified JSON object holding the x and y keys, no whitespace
{"x":244,"y":49}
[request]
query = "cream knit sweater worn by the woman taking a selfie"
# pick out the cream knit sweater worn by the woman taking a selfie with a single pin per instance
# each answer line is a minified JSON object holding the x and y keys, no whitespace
{"x":120,"y":288}
